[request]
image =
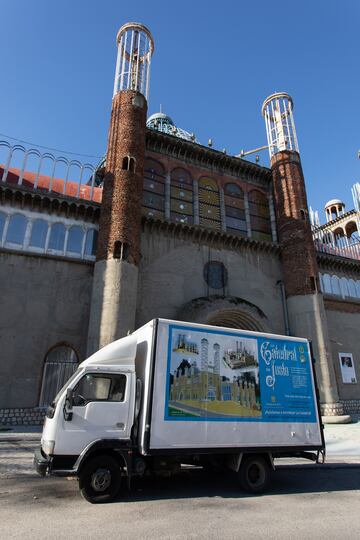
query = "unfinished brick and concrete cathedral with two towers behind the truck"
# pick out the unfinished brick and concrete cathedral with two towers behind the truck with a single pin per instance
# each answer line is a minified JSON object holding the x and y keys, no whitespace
{"x":167,"y":227}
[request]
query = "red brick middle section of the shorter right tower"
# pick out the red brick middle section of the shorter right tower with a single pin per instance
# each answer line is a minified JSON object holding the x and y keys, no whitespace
{"x":294,"y":232}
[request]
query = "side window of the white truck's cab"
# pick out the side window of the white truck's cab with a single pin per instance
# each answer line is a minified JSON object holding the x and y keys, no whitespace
{"x":96,"y":387}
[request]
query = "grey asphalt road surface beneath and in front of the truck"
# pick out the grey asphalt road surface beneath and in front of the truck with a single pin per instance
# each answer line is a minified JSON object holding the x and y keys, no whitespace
{"x":304,"y":502}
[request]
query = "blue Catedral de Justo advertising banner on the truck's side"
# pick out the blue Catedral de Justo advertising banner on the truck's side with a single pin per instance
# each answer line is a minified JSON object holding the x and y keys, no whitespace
{"x":220,"y":376}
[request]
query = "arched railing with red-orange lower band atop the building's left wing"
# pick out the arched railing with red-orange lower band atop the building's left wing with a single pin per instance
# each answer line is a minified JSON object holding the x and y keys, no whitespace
{"x":46,"y":172}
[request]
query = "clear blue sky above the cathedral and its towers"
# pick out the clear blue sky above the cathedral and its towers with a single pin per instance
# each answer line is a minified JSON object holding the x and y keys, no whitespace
{"x":213,"y":65}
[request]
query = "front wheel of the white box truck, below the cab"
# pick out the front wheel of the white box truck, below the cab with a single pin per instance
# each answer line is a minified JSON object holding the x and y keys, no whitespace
{"x":99,"y":480}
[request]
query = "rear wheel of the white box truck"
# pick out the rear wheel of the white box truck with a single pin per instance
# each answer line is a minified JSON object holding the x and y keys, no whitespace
{"x":254,"y":474}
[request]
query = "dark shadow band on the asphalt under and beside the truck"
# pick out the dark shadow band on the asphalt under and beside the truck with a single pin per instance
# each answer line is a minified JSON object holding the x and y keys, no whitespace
{"x":190,"y":484}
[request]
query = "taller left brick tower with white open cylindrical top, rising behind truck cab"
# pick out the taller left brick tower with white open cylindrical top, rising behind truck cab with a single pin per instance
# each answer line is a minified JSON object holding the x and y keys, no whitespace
{"x":113,"y":303}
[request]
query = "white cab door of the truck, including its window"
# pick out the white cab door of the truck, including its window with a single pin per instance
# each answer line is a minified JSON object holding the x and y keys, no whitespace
{"x":102,"y":408}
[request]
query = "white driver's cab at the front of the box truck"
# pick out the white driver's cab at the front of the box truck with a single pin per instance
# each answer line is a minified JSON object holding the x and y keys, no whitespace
{"x":92,"y":413}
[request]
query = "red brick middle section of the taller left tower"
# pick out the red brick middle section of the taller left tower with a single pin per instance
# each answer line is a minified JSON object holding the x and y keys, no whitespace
{"x":120,"y":217}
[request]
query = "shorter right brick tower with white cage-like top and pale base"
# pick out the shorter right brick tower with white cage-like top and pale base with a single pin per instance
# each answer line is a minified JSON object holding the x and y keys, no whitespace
{"x":305,"y":304}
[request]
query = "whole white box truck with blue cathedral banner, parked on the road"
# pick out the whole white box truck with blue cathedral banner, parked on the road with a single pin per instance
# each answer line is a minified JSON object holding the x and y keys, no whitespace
{"x":177,"y":393}
